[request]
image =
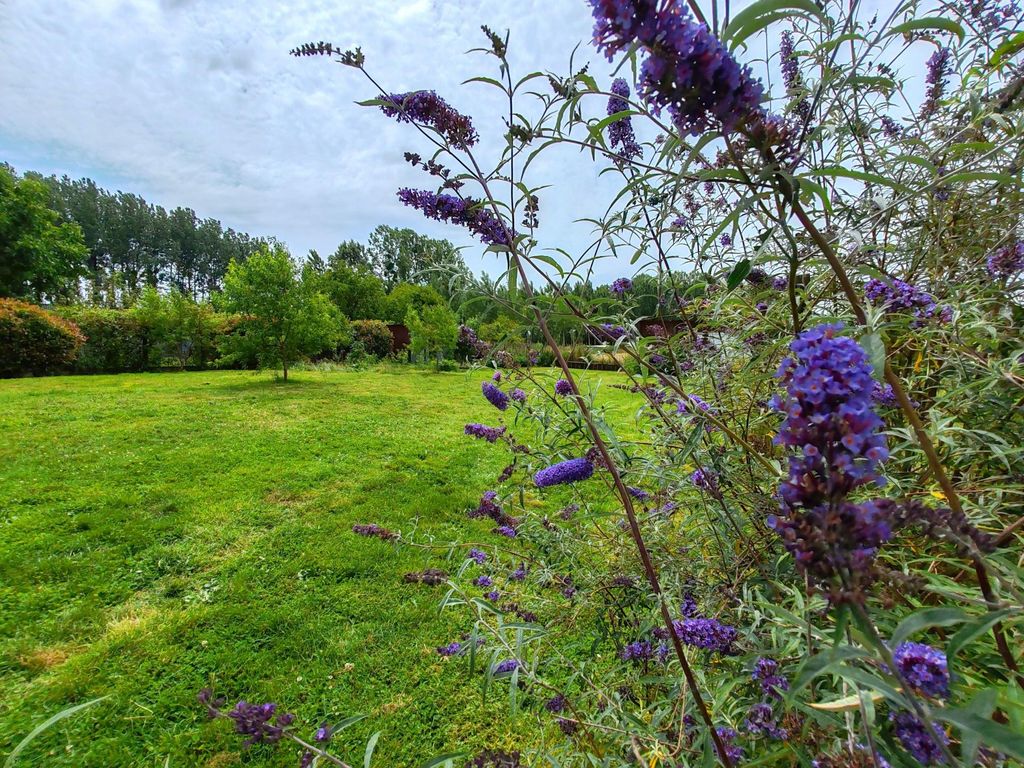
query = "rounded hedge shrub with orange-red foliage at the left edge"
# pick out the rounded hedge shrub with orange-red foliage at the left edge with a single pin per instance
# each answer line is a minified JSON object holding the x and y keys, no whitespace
{"x":34,"y":342}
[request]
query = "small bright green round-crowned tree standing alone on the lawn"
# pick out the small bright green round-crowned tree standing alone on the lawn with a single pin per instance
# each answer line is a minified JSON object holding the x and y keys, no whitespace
{"x":283,"y":319}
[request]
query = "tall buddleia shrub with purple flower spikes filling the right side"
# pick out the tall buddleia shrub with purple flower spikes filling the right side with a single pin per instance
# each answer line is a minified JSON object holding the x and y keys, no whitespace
{"x":802,"y":551}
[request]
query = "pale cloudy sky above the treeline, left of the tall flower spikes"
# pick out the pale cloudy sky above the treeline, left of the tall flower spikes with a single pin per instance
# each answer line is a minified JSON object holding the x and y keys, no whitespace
{"x":197,"y":103}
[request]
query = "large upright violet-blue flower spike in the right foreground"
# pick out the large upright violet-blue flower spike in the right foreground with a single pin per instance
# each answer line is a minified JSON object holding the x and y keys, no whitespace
{"x":837,"y":443}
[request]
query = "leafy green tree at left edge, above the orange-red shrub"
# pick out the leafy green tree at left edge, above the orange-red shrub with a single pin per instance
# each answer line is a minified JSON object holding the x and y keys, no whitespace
{"x":40,"y":257}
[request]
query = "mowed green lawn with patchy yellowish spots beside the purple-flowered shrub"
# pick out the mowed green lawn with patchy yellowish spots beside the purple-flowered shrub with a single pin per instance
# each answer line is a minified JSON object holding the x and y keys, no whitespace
{"x":167,"y":532}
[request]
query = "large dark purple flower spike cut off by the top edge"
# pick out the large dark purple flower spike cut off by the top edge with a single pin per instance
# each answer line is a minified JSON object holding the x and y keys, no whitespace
{"x":688,"y":71}
